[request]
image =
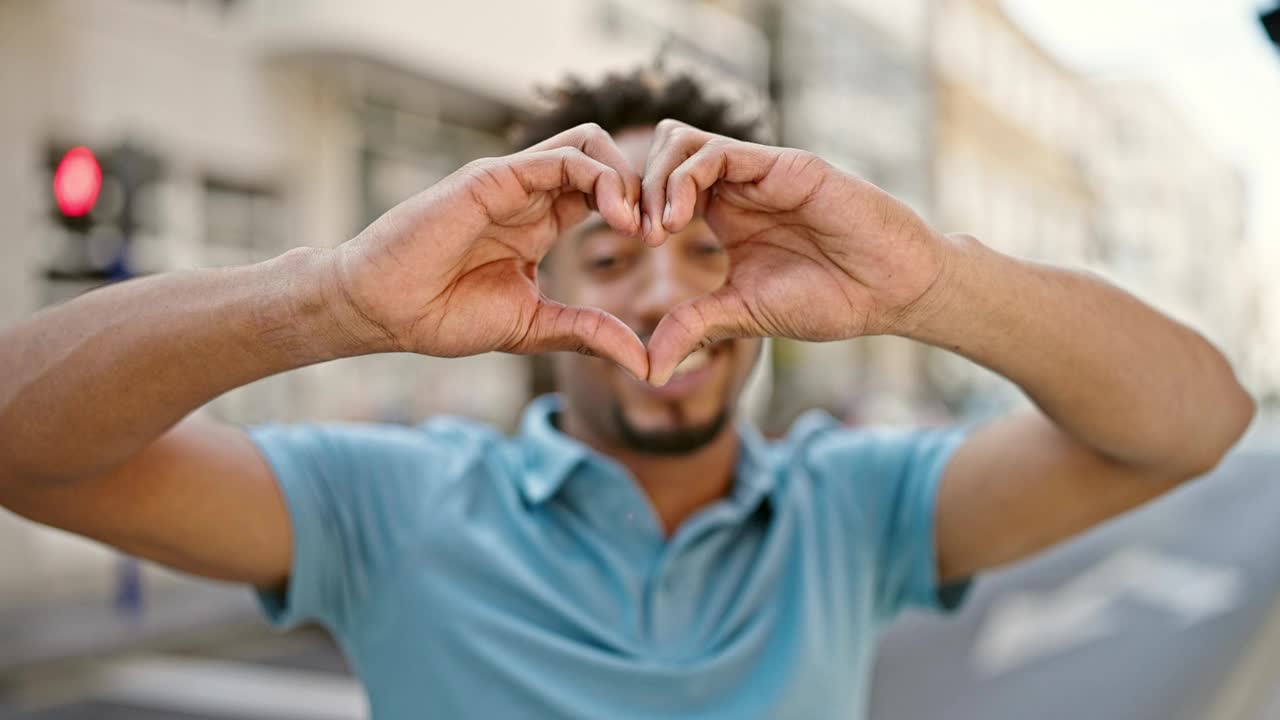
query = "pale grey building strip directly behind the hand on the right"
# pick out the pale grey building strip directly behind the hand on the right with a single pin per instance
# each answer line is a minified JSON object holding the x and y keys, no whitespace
{"x":853,"y":85}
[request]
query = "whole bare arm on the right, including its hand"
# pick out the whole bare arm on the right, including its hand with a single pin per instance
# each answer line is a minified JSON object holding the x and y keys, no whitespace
{"x":1132,"y":404}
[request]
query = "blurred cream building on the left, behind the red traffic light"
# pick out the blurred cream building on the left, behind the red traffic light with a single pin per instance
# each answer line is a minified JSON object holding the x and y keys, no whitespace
{"x":287,"y":124}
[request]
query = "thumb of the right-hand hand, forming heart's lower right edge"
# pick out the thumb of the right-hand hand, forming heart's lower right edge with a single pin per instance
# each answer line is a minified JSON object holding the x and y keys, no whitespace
{"x":696,"y":325}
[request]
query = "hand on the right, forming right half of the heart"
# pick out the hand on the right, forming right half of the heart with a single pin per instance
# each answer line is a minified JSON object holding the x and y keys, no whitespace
{"x":815,"y":254}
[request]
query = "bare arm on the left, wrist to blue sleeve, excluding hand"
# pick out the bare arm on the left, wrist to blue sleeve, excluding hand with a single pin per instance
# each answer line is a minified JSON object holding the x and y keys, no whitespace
{"x":90,"y":390}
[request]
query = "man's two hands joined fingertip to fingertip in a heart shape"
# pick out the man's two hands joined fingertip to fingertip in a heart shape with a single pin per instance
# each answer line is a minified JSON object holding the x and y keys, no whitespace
{"x":815,"y":254}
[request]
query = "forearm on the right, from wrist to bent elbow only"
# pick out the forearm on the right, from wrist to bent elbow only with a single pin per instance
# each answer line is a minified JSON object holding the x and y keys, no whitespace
{"x":1114,"y":373}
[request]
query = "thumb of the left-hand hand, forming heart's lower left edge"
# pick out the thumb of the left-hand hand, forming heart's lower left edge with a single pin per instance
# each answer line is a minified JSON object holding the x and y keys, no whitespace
{"x":557,"y":327}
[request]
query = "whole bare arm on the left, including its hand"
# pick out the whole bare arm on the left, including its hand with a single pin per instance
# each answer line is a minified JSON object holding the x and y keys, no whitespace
{"x":93,"y":393}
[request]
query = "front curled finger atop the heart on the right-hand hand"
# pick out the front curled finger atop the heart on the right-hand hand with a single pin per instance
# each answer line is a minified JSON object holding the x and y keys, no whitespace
{"x":719,"y":161}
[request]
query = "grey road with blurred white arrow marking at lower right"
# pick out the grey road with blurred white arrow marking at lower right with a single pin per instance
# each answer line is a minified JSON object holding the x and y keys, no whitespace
{"x":1150,"y":617}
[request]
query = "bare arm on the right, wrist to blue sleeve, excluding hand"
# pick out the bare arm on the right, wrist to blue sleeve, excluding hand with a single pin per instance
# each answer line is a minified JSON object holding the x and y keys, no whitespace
{"x":1132,"y":404}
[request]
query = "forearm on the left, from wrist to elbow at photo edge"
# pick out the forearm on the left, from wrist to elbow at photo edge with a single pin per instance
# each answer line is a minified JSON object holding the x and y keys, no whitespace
{"x":86,"y":385}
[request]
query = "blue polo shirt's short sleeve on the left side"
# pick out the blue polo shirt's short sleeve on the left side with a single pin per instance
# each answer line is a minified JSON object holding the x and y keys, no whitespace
{"x":344,"y":486}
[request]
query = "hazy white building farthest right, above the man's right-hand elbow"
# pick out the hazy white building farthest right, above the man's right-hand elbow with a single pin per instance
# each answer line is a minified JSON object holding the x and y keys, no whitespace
{"x":1173,"y":220}
